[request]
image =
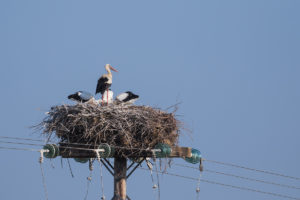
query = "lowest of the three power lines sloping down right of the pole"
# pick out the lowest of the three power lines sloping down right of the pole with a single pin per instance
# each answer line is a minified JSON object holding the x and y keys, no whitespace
{"x":228,"y":185}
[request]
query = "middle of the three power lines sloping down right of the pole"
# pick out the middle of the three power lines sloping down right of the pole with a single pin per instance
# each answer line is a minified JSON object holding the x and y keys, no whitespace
{"x":242,"y":177}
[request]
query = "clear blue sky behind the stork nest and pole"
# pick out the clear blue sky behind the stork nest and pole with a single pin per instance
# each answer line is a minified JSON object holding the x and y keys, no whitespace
{"x":233,"y":64}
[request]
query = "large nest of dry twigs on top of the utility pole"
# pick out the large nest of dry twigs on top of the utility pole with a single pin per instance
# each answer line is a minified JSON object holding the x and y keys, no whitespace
{"x":126,"y":126}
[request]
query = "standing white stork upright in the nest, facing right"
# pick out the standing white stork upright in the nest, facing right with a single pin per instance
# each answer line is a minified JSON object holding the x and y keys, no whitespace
{"x":105,"y":81}
